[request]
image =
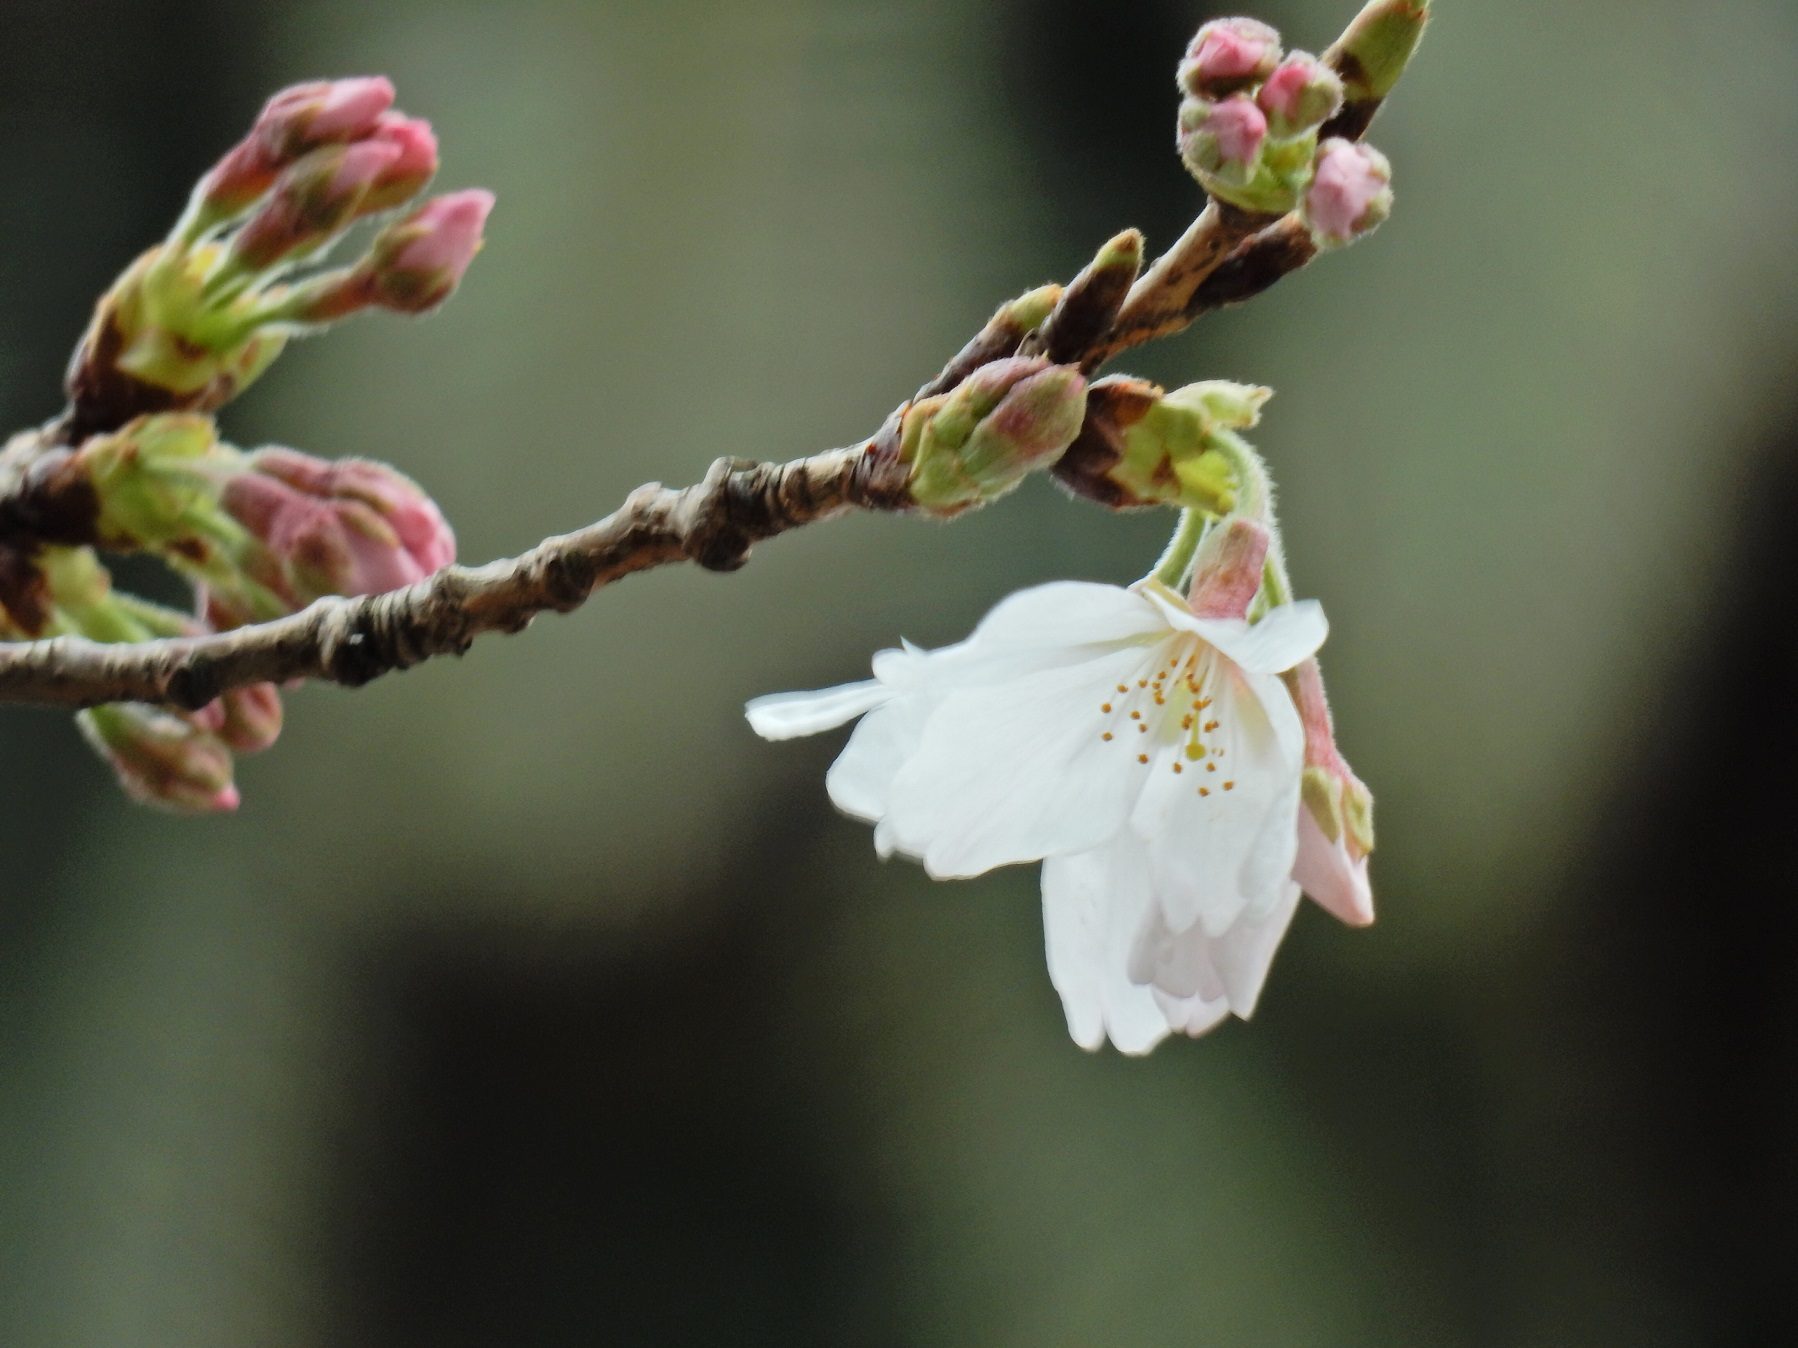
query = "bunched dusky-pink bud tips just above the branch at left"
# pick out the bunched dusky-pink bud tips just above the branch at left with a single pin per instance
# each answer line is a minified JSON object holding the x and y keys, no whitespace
{"x":350,"y":528}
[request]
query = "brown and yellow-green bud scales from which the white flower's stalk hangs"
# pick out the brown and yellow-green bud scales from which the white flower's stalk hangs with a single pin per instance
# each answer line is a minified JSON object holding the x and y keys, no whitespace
{"x":1146,"y":447}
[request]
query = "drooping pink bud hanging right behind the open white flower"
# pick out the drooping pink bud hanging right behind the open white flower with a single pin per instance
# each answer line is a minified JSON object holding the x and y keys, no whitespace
{"x":1337,"y":822}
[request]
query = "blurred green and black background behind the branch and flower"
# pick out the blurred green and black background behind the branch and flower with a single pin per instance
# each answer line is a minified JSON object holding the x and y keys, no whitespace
{"x":531,"y":1000}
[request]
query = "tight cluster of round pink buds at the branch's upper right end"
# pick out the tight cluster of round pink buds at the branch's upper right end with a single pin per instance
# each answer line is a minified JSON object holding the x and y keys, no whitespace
{"x":1252,"y":116}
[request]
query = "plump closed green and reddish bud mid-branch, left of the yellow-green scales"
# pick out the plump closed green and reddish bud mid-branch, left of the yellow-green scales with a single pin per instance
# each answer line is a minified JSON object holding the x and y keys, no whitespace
{"x":977,"y":443}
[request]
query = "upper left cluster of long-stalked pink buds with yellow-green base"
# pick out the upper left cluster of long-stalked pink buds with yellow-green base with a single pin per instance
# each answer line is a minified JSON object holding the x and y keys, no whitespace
{"x":202,"y":315}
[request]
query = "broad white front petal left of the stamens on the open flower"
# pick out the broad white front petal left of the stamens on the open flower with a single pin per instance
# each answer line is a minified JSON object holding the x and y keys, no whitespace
{"x":1019,"y":770}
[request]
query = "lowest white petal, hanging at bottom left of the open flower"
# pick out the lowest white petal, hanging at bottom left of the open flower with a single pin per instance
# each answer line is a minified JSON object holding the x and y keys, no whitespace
{"x":1092,"y":907}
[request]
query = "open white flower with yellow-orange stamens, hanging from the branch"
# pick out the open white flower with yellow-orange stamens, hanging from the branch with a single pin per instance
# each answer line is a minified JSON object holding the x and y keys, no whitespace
{"x":1152,"y":758}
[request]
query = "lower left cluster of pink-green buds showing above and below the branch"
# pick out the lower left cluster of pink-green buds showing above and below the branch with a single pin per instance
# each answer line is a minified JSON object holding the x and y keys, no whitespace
{"x":260,"y":535}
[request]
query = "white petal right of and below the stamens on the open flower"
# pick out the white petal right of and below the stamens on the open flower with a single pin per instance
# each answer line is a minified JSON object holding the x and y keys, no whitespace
{"x":1224,"y":842}
